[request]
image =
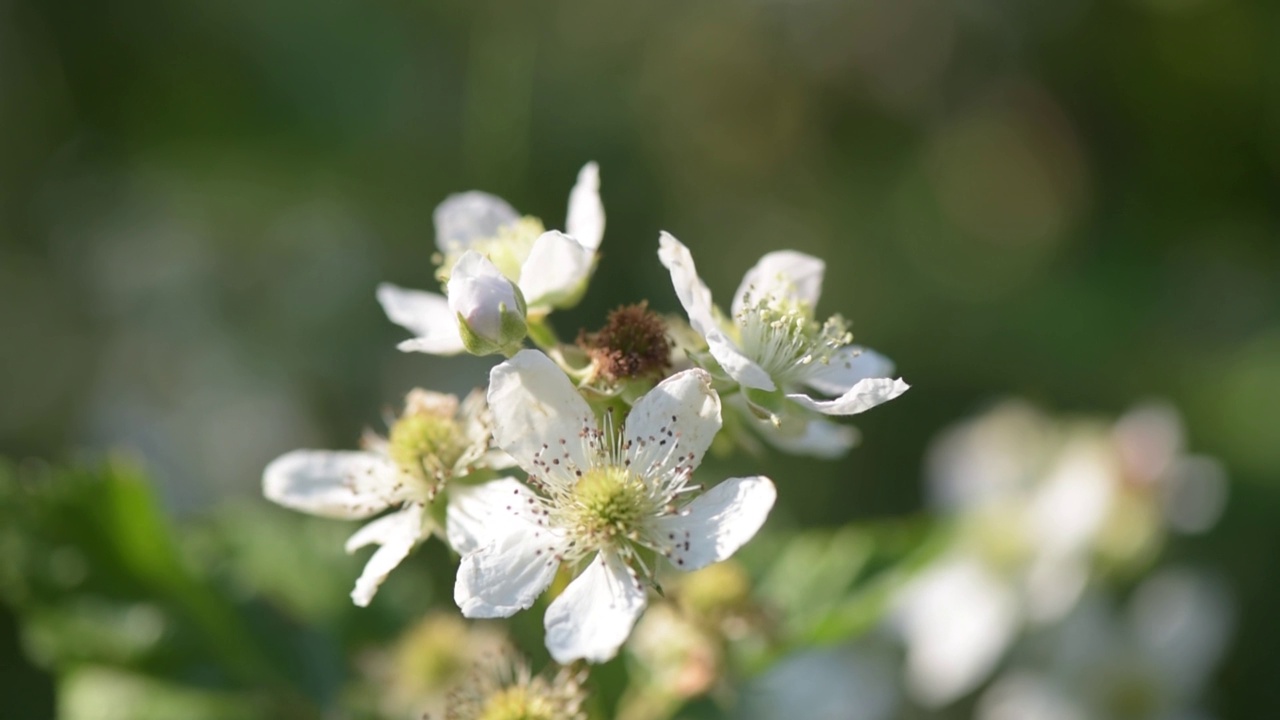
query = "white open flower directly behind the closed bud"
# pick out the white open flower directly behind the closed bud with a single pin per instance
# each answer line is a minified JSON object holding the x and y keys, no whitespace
{"x":550,"y":268}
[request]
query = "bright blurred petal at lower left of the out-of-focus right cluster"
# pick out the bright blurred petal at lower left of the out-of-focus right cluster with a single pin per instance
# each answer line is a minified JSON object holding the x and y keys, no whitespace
{"x":957,"y":621}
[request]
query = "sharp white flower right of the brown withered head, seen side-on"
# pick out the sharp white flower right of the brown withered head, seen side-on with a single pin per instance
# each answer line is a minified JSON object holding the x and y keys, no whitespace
{"x":771,"y":343}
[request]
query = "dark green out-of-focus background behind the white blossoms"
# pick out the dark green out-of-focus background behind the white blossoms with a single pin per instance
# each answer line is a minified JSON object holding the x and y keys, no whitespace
{"x":1071,"y":200}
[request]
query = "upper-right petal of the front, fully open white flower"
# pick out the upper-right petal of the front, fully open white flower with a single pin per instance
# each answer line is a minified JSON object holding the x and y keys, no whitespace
{"x":674,"y":423}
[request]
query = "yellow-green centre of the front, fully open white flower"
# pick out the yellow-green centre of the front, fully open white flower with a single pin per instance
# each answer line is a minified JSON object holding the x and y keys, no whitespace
{"x":610,"y":505}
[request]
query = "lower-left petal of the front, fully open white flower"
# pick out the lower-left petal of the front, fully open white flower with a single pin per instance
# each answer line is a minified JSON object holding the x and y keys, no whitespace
{"x":520,"y":560}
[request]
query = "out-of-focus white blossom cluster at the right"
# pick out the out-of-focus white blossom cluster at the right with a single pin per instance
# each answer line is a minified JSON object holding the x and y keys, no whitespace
{"x":1039,"y":504}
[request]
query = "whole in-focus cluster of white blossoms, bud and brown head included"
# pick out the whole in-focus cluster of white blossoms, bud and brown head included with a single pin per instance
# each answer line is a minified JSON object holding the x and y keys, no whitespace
{"x":607,"y":435}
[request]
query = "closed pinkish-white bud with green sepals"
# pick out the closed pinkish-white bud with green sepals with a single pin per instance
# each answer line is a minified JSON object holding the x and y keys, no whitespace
{"x":490,"y":308}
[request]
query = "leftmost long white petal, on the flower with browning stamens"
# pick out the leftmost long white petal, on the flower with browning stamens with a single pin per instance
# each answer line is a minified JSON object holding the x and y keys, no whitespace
{"x":332,"y":484}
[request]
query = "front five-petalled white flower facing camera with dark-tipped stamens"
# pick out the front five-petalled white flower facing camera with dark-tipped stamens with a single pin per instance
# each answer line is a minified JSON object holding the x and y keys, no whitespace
{"x":606,"y":499}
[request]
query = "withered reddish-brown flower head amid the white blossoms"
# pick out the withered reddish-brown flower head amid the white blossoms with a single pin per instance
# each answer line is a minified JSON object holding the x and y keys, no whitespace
{"x":633,"y":344}
